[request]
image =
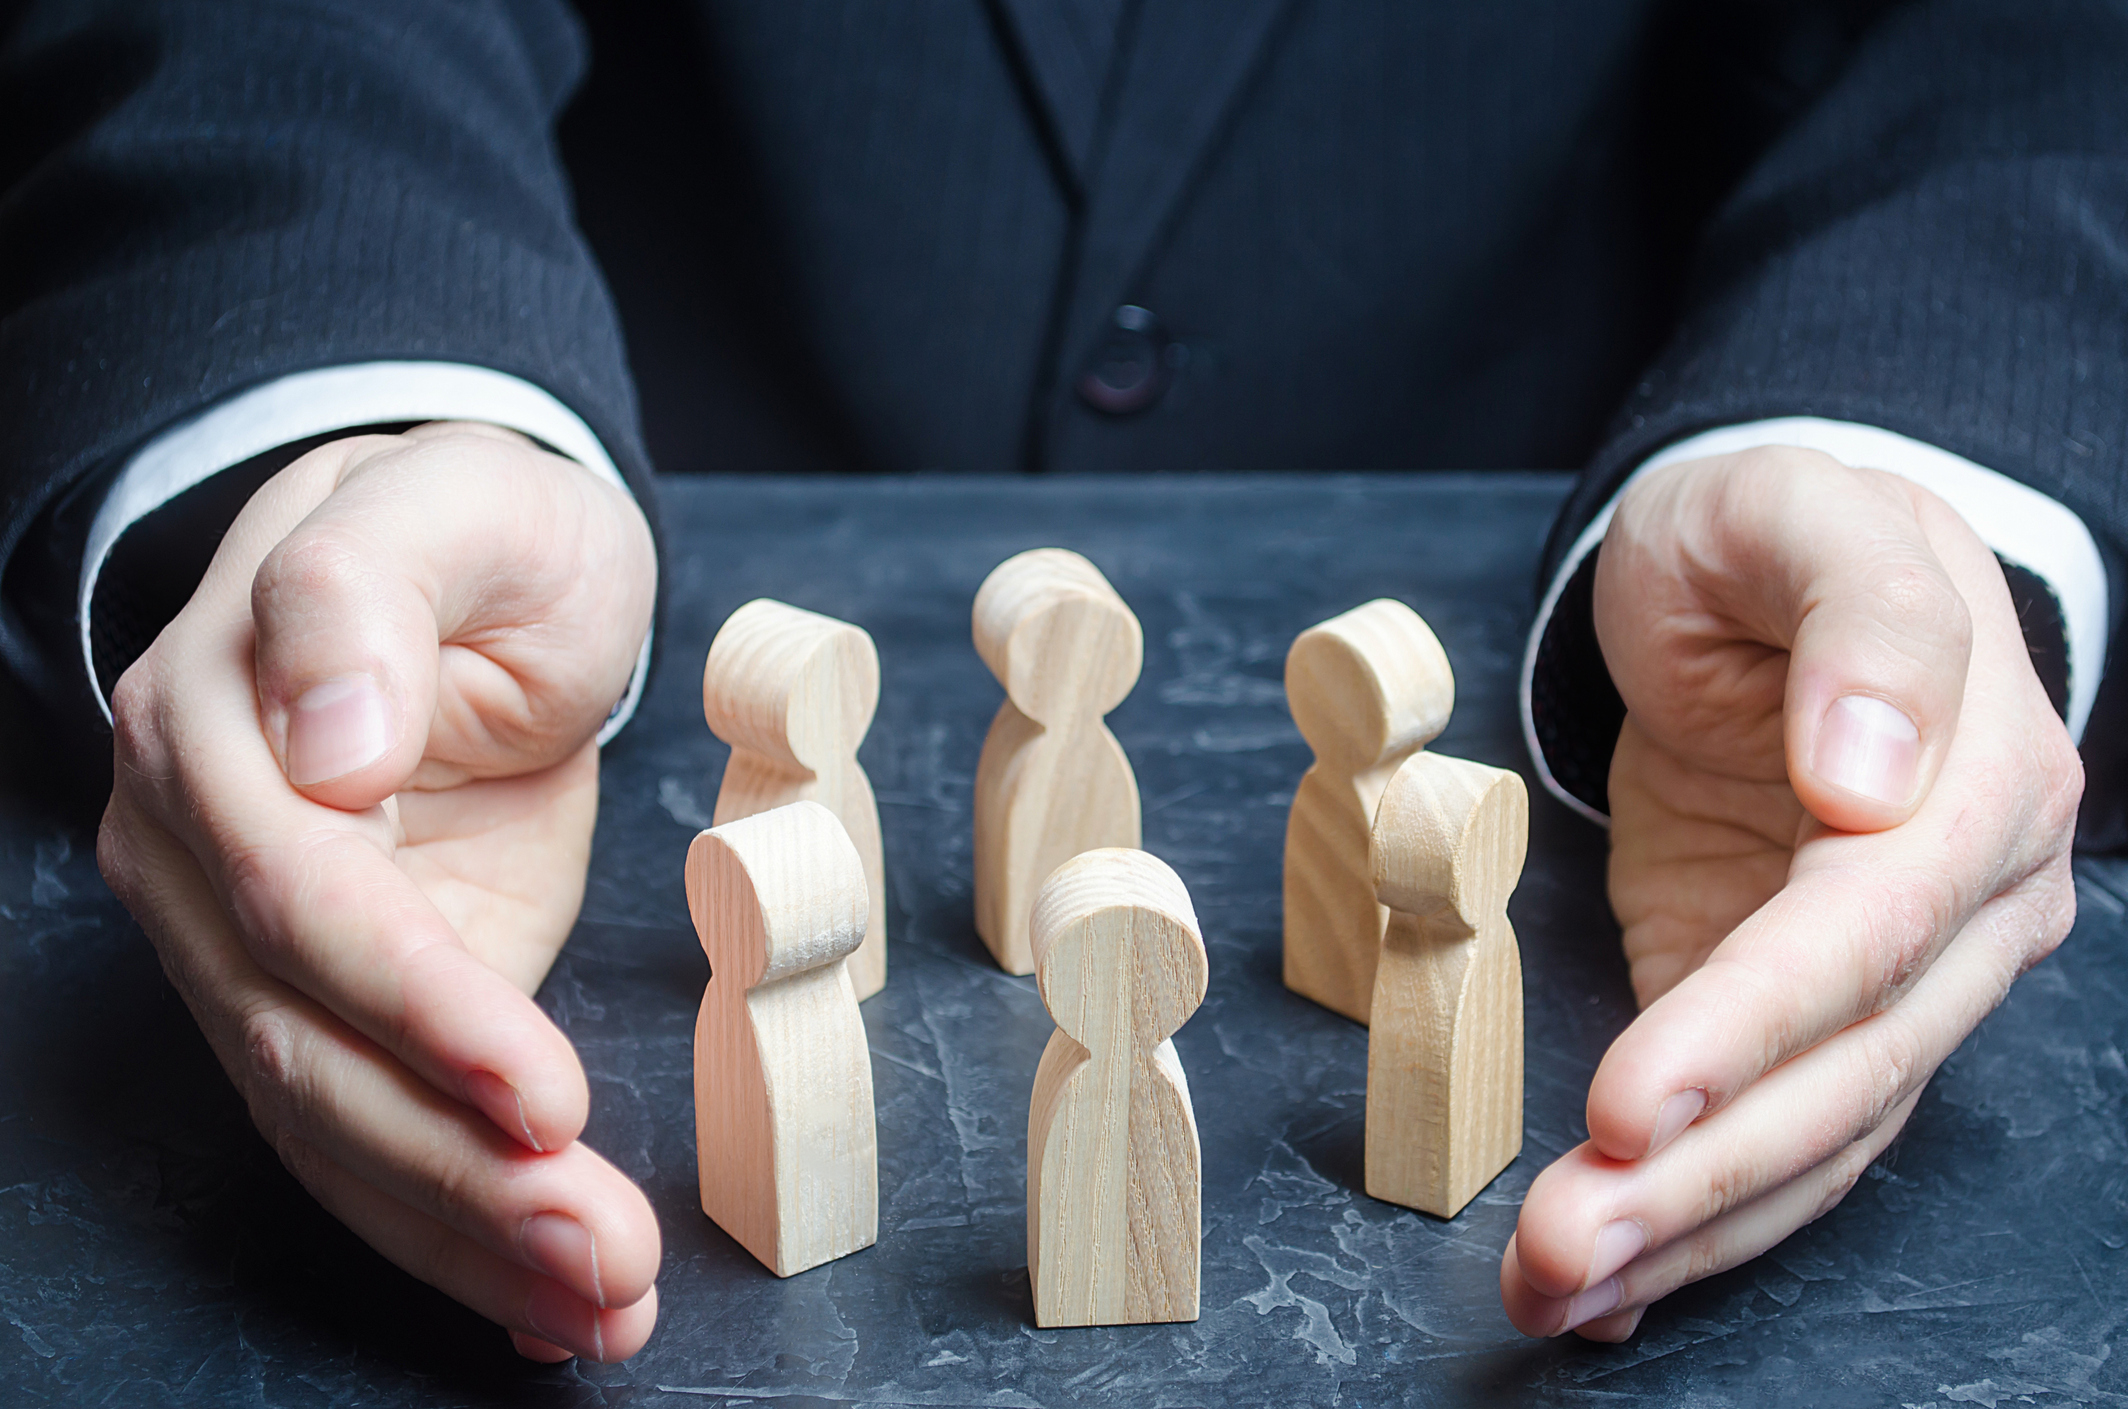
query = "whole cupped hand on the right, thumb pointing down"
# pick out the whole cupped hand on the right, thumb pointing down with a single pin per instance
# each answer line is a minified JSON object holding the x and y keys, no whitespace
{"x":1842,"y":816}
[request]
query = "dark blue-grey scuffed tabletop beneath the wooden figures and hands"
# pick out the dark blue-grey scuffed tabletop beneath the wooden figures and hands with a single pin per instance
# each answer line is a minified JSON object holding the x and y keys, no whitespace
{"x":152,"y":1250}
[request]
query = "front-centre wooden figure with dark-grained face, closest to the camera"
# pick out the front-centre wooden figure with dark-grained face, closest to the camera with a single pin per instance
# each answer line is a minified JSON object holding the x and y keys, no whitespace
{"x":1114,"y":1167}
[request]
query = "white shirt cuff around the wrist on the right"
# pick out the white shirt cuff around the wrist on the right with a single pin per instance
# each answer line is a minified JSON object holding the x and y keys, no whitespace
{"x":2018,"y":523}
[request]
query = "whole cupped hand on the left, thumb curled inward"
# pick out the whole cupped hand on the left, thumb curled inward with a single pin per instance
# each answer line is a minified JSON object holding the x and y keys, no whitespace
{"x":352,"y":808}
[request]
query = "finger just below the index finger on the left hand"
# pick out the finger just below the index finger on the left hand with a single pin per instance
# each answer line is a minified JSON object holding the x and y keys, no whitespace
{"x":312,"y":1078}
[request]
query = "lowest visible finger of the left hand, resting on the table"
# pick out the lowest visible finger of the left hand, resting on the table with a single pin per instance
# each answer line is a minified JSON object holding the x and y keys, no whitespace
{"x":518,"y":1299}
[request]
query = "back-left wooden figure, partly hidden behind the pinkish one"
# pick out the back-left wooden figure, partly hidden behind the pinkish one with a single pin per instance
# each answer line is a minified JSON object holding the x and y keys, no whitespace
{"x":795,"y":693}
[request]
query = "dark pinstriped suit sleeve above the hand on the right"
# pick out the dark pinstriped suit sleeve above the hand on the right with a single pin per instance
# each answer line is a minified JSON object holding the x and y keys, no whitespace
{"x":1935,"y":246}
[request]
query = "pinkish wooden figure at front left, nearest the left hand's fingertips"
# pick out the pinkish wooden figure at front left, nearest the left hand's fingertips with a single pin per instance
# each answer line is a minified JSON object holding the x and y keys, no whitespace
{"x":786,"y":1146}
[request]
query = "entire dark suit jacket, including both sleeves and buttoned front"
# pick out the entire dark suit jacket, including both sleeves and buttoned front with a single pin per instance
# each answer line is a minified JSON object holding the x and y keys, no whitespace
{"x":895,"y":237}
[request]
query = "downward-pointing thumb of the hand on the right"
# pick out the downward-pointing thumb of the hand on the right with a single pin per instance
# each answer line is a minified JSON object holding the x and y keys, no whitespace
{"x":1878,"y":642}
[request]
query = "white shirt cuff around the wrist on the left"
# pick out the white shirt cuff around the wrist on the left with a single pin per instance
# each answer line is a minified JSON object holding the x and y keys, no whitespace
{"x":316,"y":403}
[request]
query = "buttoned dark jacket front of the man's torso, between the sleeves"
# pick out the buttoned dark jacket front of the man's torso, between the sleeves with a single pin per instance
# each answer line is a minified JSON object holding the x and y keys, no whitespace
{"x":1418,"y":235}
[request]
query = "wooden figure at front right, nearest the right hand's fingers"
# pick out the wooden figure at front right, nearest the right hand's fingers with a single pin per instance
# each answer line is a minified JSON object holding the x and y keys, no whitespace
{"x":1444,"y":1055}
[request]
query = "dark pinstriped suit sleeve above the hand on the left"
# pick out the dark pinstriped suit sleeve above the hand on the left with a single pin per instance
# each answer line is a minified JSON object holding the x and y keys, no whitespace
{"x":203,"y":199}
